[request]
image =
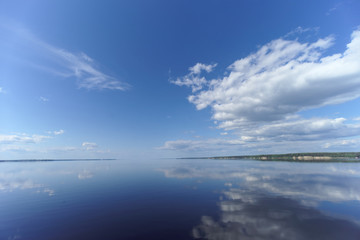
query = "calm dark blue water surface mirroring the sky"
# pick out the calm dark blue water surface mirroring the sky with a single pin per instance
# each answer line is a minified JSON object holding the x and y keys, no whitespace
{"x":179,"y":199}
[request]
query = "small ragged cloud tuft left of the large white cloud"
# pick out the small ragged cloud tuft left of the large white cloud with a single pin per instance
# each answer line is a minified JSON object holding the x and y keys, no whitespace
{"x":193,"y":79}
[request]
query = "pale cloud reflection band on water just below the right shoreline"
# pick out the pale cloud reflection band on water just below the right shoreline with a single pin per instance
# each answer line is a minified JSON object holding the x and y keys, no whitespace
{"x":306,"y":182}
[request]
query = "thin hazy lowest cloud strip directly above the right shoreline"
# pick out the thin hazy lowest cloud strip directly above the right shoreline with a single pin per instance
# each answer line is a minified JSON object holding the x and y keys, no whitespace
{"x":247,"y":145}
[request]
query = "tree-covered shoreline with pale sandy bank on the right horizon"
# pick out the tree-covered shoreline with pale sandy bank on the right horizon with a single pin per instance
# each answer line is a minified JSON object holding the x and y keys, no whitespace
{"x":296,"y":157}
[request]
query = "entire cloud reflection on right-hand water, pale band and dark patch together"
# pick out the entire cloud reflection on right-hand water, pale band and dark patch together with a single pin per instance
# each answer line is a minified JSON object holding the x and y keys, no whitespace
{"x":267,"y":200}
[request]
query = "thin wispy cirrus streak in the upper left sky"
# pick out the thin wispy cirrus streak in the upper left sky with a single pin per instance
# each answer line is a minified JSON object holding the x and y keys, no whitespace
{"x":46,"y":57}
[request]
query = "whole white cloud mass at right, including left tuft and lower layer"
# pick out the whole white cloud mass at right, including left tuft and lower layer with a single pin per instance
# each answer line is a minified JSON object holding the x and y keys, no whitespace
{"x":261,"y":95}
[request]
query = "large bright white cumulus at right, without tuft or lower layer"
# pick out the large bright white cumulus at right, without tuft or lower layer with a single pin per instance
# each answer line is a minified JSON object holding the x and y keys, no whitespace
{"x":282,"y":78}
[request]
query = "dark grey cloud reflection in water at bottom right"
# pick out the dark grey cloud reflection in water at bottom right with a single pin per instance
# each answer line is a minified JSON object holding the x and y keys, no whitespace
{"x":273,"y":218}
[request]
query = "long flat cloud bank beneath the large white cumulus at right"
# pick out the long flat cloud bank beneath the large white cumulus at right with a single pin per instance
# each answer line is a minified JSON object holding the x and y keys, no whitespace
{"x":280,"y":136}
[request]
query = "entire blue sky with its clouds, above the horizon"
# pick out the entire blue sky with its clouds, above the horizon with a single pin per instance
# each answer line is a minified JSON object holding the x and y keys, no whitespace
{"x":134,"y":79}
